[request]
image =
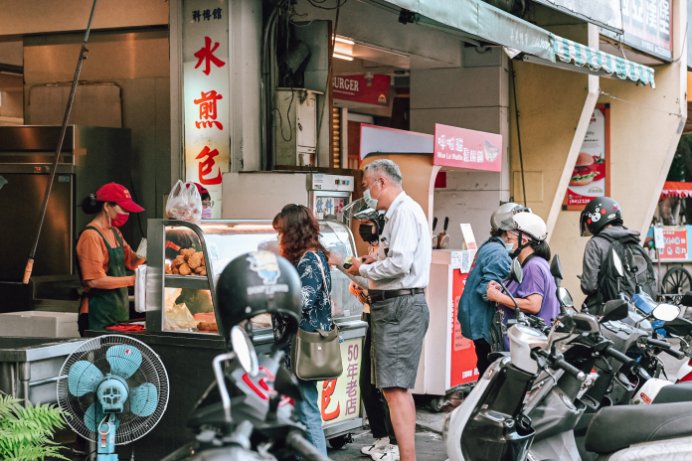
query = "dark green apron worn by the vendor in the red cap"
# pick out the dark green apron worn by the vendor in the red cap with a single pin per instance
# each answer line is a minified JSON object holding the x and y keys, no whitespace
{"x":108,"y":307}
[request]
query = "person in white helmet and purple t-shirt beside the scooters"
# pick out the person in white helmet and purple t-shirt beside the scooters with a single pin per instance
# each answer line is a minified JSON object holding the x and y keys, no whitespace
{"x":536,"y":294}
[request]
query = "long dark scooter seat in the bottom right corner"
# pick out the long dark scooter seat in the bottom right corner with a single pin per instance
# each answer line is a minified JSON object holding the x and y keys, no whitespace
{"x":618,"y":427}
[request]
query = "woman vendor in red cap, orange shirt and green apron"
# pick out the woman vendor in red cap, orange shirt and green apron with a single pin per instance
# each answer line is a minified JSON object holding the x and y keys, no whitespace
{"x":105,"y":257}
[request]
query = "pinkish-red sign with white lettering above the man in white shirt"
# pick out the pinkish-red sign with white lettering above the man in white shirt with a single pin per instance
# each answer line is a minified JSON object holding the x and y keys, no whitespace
{"x":462,"y":148}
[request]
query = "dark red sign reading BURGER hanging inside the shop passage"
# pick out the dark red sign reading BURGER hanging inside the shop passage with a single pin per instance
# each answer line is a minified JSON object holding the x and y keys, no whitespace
{"x":365,"y":88}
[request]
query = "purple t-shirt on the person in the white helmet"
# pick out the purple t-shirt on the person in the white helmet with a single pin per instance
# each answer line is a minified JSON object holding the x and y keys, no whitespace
{"x":537,"y":280}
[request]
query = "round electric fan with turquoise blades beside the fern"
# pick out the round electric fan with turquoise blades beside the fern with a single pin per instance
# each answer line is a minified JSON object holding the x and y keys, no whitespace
{"x":113,"y":390}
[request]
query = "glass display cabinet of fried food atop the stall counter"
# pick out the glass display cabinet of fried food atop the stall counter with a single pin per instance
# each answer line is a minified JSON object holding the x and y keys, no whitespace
{"x":185,"y":261}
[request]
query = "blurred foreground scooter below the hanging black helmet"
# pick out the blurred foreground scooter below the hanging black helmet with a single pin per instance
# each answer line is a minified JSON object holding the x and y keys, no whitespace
{"x":251,"y":421}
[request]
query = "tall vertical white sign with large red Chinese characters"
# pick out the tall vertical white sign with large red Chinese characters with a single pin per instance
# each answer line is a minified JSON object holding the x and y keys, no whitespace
{"x":206,"y":95}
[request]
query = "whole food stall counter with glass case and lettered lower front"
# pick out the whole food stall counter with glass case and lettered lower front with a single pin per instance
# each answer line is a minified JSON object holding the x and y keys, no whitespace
{"x":184,"y":262}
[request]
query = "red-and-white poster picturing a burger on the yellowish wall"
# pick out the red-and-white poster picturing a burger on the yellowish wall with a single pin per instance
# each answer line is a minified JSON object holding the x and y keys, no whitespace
{"x":590,"y":175}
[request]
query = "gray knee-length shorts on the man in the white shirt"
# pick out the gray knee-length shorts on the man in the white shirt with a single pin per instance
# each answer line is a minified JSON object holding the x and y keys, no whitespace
{"x":398,"y":328}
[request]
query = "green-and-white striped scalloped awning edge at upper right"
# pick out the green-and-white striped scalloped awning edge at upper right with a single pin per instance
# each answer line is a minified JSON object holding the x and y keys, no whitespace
{"x":583,"y":56}
